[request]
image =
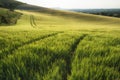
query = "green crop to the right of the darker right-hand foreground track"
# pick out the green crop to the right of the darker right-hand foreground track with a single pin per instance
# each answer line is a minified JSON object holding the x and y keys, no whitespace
{"x":97,"y":58}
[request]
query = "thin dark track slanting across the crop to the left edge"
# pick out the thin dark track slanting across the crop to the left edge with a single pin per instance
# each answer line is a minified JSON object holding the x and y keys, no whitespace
{"x":11,"y":50}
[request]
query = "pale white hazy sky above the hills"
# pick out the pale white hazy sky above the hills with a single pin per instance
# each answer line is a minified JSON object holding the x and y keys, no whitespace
{"x":68,"y":4}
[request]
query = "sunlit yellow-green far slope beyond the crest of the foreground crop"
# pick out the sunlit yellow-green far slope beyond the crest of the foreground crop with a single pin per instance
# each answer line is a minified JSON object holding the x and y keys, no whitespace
{"x":69,"y":20}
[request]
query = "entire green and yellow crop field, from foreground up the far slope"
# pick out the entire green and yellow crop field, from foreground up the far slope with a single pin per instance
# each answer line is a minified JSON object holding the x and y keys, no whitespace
{"x":63,"y":46}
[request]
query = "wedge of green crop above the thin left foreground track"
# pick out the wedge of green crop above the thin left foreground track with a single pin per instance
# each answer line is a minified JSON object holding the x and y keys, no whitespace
{"x":10,"y":41}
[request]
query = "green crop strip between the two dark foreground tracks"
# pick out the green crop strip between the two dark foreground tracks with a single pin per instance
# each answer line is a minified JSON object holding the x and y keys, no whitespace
{"x":45,"y":59}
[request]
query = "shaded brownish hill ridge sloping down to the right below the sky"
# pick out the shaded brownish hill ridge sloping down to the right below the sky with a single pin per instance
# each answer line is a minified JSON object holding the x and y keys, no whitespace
{"x":64,"y":13}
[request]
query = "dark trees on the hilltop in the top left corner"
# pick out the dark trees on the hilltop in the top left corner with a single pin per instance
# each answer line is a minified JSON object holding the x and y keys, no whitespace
{"x":10,"y":4}
